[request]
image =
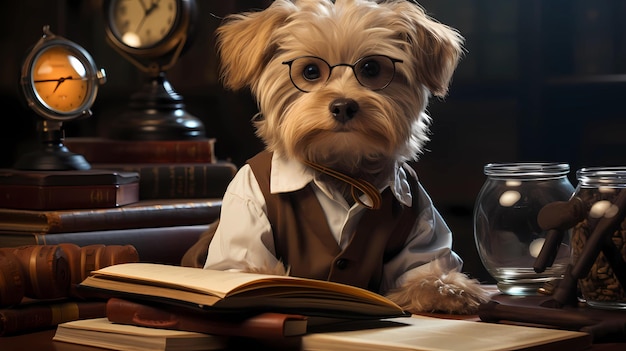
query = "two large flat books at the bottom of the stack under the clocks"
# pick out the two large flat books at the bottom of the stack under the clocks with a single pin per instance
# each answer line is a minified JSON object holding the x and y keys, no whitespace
{"x":161,"y":230}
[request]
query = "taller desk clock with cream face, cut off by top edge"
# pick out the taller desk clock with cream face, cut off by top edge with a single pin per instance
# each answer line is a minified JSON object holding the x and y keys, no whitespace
{"x":152,"y":34}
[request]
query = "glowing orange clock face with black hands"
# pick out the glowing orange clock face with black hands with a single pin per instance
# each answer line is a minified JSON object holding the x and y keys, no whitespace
{"x":60,"y":79}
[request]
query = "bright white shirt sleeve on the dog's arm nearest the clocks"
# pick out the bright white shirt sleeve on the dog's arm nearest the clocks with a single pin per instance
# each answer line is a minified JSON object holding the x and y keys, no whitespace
{"x":243,"y":239}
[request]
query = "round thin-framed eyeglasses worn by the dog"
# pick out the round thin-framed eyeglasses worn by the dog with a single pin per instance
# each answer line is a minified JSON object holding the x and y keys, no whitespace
{"x":310,"y":73}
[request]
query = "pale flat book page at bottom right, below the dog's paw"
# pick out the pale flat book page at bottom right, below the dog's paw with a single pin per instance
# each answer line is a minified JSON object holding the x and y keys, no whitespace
{"x":430,"y":334}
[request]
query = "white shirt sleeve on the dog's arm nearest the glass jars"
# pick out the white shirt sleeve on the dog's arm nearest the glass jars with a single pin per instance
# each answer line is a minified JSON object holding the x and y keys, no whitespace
{"x":430,"y":239}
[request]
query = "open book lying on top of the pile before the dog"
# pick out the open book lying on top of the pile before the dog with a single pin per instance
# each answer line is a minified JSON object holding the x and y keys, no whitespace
{"x":235,"y":291}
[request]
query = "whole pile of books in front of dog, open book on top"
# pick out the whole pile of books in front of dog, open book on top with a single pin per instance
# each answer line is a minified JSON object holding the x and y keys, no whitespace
{"x":205,"y":309}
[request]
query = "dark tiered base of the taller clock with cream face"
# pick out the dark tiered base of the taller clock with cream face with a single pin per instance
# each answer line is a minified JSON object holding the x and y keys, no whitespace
{"x":156,"y":112}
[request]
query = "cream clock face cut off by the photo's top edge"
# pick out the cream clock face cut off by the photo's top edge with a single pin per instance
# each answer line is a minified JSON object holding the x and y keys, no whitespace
{"x":142,"y":23}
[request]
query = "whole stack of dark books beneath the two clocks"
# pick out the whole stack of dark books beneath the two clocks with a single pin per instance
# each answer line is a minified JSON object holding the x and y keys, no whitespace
{"x":157,"y":195}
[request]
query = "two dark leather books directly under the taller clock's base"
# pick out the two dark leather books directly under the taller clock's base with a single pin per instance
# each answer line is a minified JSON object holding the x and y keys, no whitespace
{"x":168,"y":169}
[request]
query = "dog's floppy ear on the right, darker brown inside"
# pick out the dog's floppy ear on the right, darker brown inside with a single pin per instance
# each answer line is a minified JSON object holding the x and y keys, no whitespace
{"x":436,"y":48}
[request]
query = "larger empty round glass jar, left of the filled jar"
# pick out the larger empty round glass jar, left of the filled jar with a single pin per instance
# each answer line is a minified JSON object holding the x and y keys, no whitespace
{"x":506,"y":232}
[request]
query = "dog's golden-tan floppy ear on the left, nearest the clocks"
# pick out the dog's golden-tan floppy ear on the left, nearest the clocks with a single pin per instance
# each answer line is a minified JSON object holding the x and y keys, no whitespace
{"x":244,"y":43}
